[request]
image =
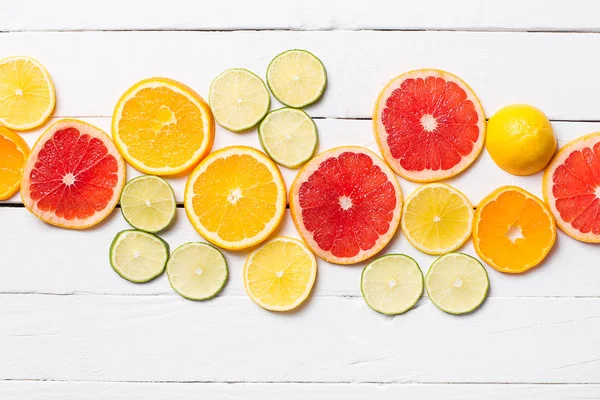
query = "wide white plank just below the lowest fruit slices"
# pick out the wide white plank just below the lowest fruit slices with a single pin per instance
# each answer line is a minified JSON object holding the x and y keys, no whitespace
{"x":124,"y":338}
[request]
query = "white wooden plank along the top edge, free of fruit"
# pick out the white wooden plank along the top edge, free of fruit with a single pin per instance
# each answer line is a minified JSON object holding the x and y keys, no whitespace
{"x":306,"y":15}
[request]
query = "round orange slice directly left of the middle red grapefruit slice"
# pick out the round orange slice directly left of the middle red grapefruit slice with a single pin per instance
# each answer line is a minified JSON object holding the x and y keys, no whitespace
{"x":235,"y":198}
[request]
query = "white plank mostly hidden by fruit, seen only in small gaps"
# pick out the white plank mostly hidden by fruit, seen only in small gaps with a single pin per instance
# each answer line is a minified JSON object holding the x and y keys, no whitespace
{"x":479,"y":180}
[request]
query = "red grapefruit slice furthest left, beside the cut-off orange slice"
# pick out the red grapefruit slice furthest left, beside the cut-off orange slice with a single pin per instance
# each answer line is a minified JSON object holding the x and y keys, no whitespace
{"x":74,"y":175}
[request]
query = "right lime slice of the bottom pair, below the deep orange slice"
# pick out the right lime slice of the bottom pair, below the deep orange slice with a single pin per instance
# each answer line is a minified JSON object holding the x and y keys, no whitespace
{"x":457,"y":283}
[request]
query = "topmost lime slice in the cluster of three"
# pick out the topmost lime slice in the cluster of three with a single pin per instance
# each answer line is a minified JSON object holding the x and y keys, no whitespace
{"x":297,"y":78}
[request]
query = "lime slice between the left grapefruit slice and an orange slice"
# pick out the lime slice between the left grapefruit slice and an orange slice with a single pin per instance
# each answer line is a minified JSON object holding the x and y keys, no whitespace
{"x":148,"y":203}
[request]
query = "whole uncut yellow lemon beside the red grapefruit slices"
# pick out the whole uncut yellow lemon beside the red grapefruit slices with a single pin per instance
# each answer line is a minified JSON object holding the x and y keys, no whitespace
{"x":520,"y":139}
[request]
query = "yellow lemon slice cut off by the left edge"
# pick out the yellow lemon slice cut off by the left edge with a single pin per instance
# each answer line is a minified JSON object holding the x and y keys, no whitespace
{"x":27,"y":95}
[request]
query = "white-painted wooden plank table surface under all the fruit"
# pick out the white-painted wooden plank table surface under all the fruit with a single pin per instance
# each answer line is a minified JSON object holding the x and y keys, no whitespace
{"x":70,"y":328}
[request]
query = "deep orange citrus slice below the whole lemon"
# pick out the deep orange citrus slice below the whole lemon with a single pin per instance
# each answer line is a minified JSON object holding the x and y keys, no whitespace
{"x":513,"y":230}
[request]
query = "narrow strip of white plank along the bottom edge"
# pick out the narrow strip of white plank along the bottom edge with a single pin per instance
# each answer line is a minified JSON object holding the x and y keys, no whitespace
{"x":290,"y":391}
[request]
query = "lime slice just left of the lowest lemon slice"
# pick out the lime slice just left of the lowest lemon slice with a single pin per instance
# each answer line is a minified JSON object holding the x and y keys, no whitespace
{"x":197,"y":271}
